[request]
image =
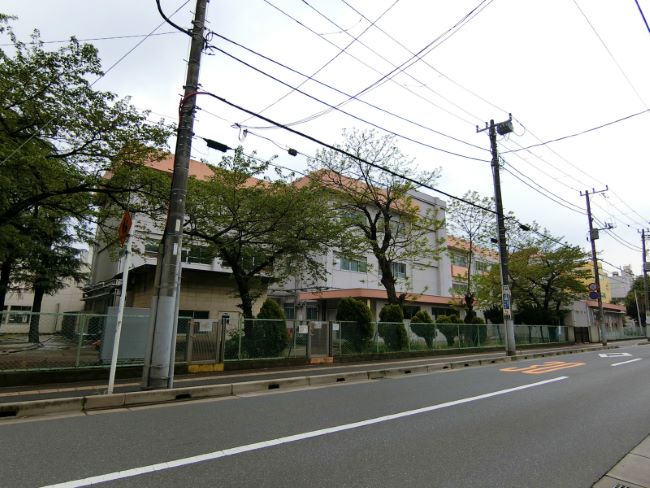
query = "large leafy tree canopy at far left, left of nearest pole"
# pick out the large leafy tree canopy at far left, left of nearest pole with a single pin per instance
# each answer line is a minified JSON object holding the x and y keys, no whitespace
{"x":58,"y":138}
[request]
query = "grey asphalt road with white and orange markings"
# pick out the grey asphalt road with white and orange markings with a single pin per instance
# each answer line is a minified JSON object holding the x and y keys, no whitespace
{"x":563,"y":424}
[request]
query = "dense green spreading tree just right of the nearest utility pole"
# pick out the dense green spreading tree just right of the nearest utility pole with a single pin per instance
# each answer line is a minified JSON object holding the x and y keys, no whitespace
{"x":262,"y":230}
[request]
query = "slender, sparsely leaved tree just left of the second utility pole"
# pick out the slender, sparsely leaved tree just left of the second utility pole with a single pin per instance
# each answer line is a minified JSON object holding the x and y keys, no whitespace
{"x":471,"y":221}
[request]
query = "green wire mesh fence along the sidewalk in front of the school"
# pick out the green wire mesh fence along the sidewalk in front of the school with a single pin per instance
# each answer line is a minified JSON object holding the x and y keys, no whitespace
{"x":79,"y":340}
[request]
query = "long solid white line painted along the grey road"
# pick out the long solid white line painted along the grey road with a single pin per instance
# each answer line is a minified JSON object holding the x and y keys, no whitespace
{"x":211,"y":456}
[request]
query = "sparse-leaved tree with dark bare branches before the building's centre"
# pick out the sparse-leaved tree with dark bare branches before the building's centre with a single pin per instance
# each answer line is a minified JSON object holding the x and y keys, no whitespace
{"x":379,"y":206}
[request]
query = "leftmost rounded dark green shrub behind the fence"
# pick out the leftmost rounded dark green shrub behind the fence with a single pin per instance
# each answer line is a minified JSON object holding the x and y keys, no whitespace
{"x":270,"y":336}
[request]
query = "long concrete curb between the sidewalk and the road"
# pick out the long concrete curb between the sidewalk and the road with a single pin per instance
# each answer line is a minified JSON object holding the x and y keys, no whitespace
{"x":152,"y":397}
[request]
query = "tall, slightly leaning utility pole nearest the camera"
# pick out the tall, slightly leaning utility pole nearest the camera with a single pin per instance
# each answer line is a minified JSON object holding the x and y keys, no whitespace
{"x":159,"y":354}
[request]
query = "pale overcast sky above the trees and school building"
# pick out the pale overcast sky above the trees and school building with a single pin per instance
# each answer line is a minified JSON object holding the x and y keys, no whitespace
{"x":560,"y":67}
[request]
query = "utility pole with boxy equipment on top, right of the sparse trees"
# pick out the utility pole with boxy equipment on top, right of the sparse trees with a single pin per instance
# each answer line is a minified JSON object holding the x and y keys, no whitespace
{"x":502,"y":128}
